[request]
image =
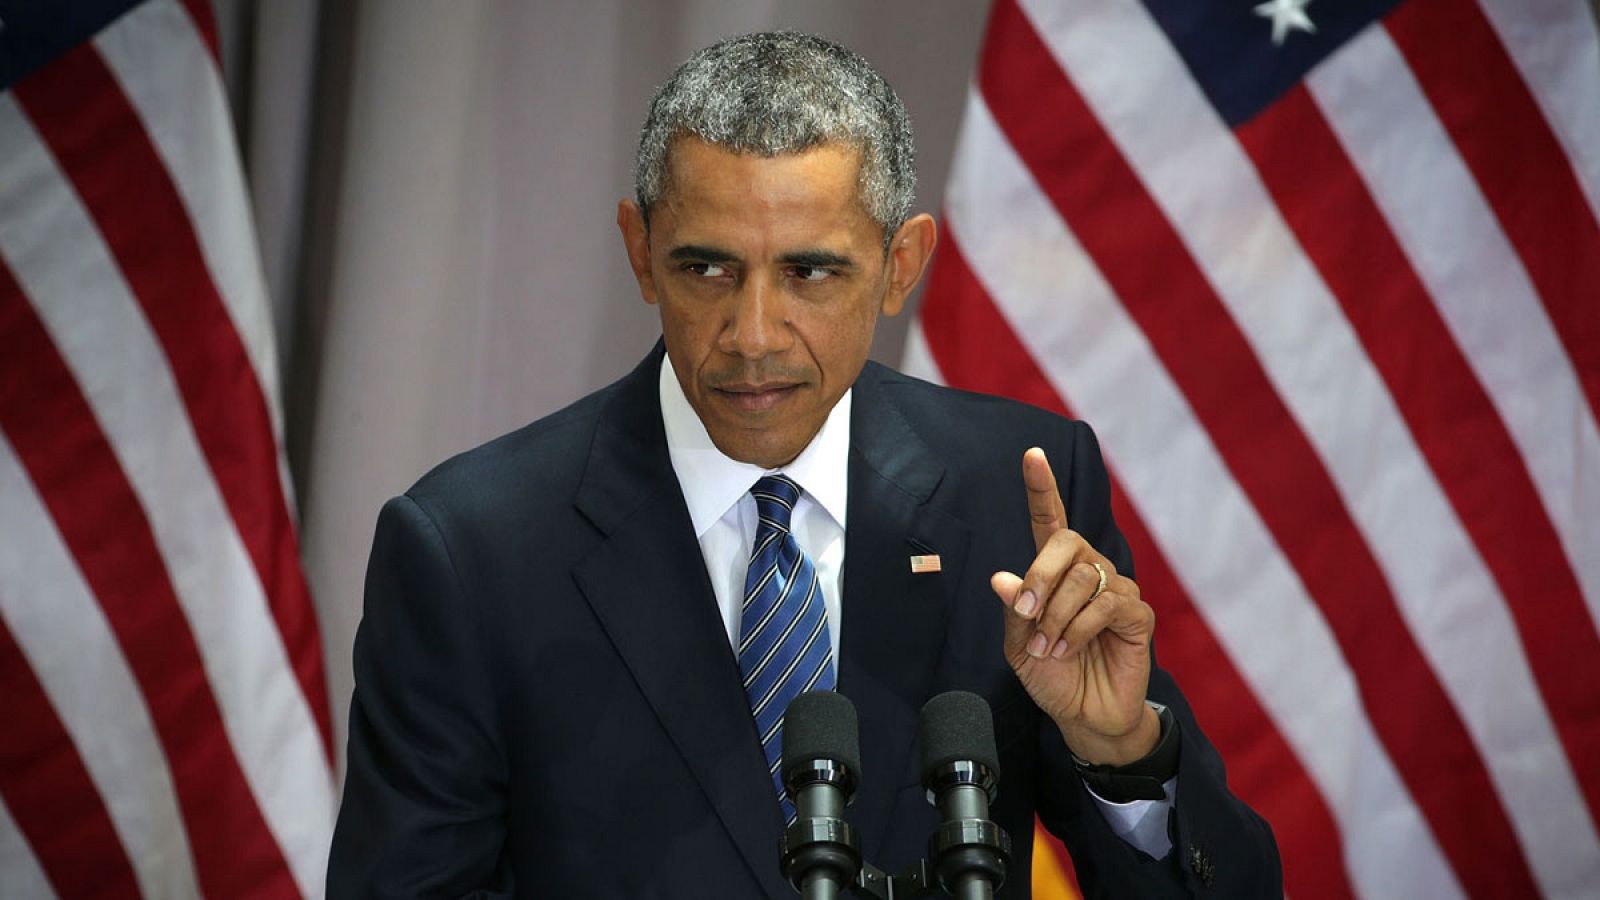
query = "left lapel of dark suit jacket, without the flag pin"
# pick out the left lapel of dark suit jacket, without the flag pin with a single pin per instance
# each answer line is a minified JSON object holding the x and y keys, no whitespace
{"x":649,"y":587}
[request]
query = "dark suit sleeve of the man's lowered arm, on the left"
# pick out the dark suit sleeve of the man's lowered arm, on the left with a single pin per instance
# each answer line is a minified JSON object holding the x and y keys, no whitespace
{"x":425,"y":789}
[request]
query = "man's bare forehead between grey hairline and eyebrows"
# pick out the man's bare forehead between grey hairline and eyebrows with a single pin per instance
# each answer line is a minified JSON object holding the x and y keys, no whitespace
{"x":710,"y":185}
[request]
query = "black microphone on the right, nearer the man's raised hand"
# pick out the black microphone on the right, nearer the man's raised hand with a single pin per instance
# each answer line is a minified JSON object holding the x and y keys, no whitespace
{"x":961,"y":769}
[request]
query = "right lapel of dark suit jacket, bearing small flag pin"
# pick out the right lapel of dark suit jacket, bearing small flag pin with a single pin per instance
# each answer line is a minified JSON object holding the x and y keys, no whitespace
{"x":895,"y":621}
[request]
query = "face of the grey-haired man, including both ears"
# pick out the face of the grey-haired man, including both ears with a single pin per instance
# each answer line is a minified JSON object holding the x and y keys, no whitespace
{"x":770,"y":278}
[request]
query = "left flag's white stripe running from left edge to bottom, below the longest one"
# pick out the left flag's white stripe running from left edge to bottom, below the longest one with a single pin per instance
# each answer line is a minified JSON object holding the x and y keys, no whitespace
{"x":70,"y":646}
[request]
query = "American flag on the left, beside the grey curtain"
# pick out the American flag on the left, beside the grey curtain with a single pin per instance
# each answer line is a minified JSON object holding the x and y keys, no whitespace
{"x":166,"y":709}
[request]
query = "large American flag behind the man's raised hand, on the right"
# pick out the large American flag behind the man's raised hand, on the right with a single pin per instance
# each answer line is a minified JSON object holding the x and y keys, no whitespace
{"x":1326,"y":276}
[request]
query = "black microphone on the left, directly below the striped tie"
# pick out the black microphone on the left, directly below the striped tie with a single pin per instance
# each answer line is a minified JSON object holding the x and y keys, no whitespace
{"x":820,"y":854}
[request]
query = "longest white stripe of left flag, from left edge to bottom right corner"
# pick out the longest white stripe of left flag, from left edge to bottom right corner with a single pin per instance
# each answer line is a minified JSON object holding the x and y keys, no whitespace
{"x":100,"y":329}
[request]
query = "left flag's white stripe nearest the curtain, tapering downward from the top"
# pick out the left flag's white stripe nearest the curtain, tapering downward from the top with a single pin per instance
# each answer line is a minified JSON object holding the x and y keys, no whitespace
{"x":169,"y":76}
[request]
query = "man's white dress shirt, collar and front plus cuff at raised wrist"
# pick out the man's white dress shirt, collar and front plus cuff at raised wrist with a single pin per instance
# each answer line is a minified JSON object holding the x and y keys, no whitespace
{"x":718,"y":492}
